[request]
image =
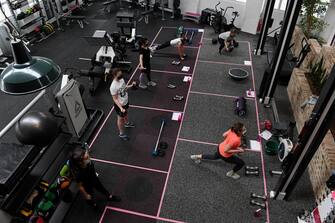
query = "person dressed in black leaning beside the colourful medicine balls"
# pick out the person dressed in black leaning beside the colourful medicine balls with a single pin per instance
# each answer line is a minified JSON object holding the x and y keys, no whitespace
{"x":83,"y":171}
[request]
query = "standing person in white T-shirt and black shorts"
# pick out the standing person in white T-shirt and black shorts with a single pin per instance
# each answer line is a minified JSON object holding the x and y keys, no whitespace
{"x":118,"y":90}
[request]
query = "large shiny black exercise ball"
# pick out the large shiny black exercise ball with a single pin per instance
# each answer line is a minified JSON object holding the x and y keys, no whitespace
{"x":36,"y":128}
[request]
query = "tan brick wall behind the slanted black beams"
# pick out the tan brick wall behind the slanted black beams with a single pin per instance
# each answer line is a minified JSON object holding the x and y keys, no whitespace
{"x":298,"y":89}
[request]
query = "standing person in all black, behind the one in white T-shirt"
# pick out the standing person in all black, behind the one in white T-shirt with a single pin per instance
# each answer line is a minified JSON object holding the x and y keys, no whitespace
{"x":145,"y":66}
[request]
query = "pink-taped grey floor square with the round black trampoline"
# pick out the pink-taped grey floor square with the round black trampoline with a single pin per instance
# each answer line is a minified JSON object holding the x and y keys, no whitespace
{"x":214,"y":78}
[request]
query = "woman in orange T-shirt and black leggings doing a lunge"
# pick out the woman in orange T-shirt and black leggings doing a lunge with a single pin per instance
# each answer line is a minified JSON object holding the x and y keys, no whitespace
{"x":228,"y":149}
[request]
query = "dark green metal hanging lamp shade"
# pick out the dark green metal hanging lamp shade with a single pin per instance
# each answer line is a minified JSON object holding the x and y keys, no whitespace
{"x":28,"y":74}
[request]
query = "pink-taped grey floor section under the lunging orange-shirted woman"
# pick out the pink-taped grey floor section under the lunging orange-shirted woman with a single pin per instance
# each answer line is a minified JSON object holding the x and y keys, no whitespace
{"x":202,"y":193}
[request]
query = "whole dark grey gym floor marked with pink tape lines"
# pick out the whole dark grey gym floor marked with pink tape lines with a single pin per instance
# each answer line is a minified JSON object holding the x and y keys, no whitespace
{"x":194,"y":193}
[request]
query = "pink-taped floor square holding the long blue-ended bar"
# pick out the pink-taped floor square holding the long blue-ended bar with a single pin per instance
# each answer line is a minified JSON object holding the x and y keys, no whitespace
{"x":137,"y":151}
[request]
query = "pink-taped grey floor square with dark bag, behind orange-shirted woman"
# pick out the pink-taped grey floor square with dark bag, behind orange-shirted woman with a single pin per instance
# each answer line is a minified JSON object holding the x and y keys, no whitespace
{"x":198,"y":126}
